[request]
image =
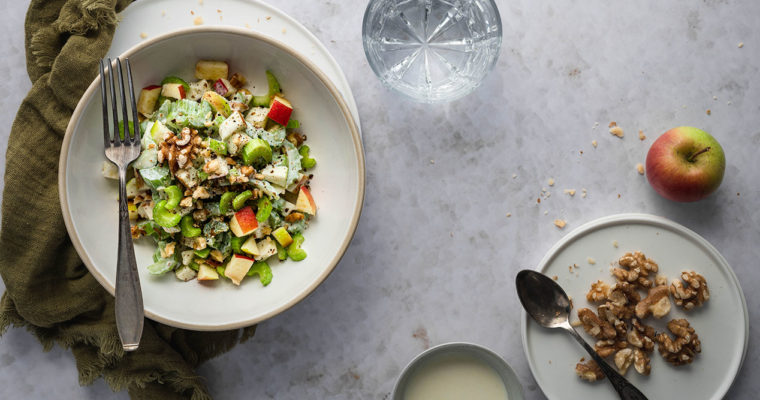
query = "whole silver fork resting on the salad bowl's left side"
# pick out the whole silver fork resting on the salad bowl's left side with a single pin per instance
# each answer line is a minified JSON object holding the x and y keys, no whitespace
{"x":129,"y":304}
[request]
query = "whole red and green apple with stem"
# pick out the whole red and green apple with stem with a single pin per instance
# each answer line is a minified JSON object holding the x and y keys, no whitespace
{"x":685,"y":164}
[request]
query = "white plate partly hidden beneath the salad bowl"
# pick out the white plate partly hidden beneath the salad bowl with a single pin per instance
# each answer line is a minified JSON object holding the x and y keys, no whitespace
{"x":156,"y":17}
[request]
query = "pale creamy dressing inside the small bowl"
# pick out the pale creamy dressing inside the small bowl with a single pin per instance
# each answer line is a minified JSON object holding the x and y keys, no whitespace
{"x":455,"y":377}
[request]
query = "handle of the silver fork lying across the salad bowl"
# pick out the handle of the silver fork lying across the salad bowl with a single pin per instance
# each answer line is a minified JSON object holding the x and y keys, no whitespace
{"x":129,"y":303}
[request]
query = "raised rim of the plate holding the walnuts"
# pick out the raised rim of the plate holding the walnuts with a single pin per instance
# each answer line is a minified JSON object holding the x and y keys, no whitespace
{"x":617,"y":219}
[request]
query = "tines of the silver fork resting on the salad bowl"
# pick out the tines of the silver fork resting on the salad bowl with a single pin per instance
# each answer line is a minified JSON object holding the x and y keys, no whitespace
{"x":112,"y":138}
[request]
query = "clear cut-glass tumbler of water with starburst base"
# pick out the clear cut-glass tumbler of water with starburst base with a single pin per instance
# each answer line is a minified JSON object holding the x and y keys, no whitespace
{"x":432,"y":50}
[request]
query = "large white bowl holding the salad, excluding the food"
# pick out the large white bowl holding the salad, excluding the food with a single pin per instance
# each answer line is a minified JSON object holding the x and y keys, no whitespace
{"x":90,"y":208}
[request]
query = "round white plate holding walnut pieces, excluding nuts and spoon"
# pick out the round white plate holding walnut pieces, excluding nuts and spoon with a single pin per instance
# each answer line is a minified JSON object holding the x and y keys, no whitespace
{"x":722,"y":324}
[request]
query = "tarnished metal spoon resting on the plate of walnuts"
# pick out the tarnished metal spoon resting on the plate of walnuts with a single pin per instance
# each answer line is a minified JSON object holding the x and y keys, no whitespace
{"x":548,"y":304}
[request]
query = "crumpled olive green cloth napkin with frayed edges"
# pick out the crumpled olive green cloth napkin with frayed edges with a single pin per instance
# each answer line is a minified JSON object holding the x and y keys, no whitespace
{"x":48,"y":289}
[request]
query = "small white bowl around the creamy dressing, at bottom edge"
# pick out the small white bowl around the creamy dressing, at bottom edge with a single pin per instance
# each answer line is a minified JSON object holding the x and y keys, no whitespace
{"x":480,"y":353}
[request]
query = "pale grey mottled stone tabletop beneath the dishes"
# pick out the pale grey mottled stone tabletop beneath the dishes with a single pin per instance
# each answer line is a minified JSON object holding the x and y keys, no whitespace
{"x":434,"y":256}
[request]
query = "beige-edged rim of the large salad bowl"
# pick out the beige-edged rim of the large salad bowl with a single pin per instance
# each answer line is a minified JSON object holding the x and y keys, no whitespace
{"x":345,"y":110}
